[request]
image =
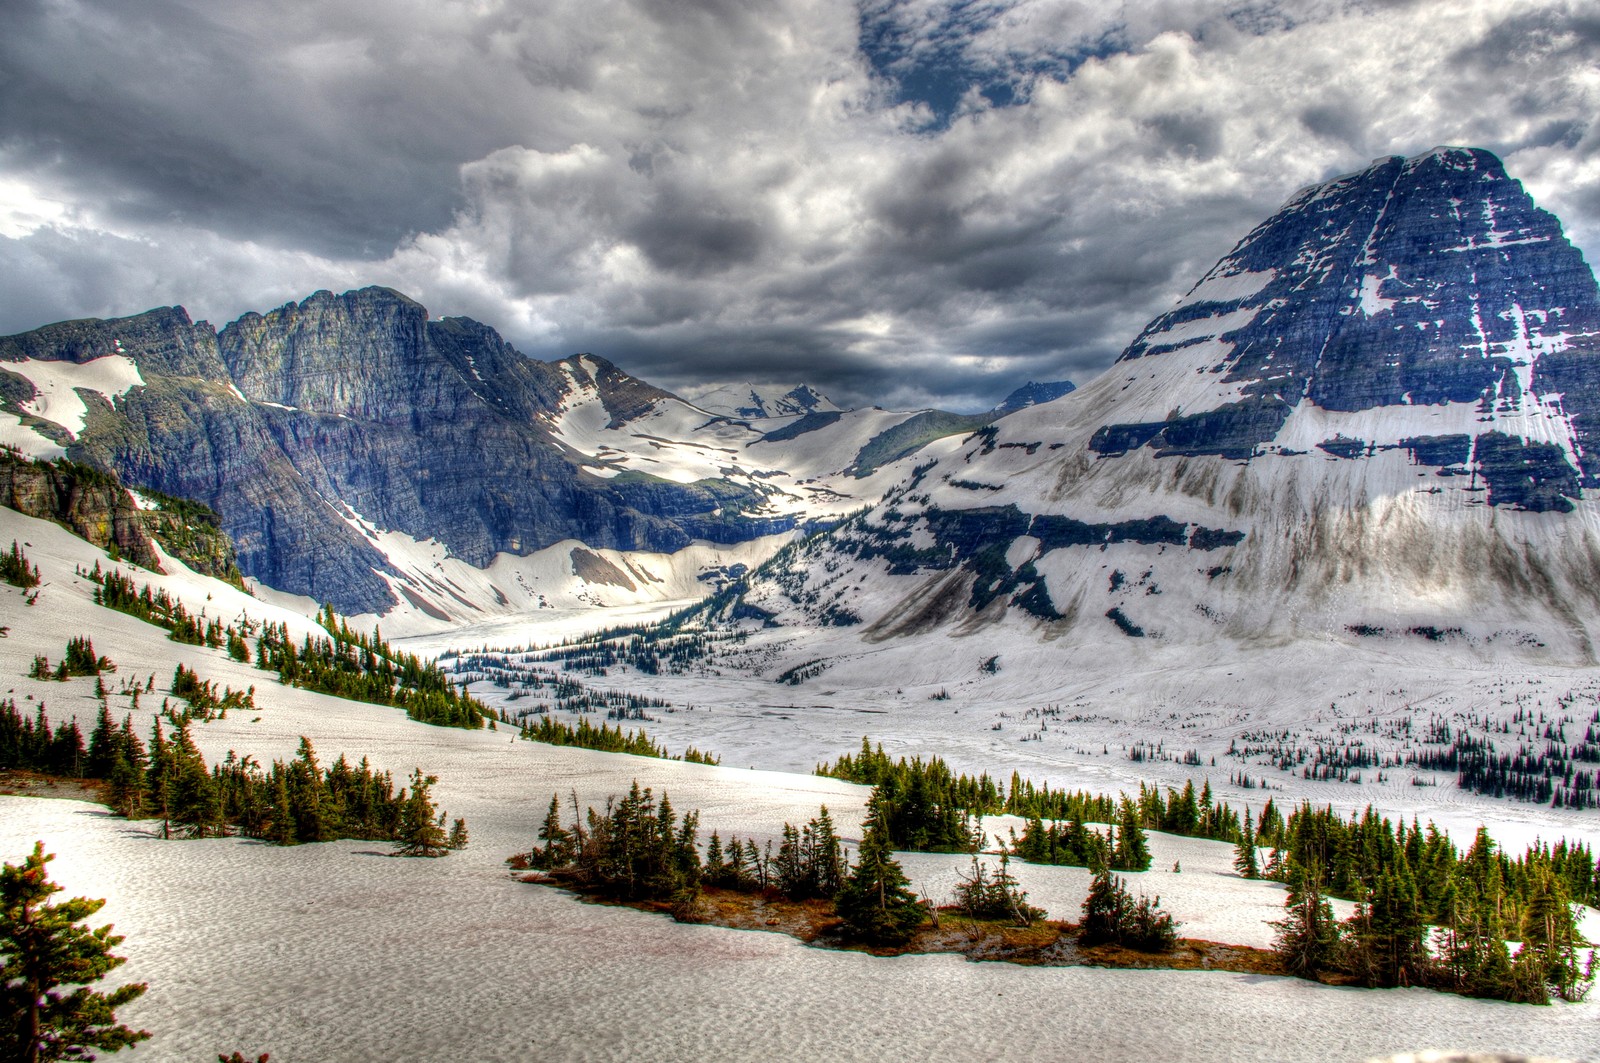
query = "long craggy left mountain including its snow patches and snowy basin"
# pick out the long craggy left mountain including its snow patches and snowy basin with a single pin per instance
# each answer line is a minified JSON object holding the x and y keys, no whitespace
{"x":425,"y":471}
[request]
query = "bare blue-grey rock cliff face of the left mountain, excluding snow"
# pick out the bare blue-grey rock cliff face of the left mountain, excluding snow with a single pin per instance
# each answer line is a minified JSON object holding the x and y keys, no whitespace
{"x":298,"y":422}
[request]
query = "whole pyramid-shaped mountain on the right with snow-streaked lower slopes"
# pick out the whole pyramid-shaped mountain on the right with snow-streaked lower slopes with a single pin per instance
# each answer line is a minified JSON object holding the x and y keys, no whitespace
{"x":1377,"y":422}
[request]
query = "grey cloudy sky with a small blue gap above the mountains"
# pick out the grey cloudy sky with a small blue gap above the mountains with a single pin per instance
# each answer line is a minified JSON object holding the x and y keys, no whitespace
{"x":905,"y":203}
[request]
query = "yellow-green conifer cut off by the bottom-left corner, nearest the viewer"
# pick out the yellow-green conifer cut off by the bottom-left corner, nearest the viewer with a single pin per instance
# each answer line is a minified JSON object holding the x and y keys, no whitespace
{"x":44,"y":949}
